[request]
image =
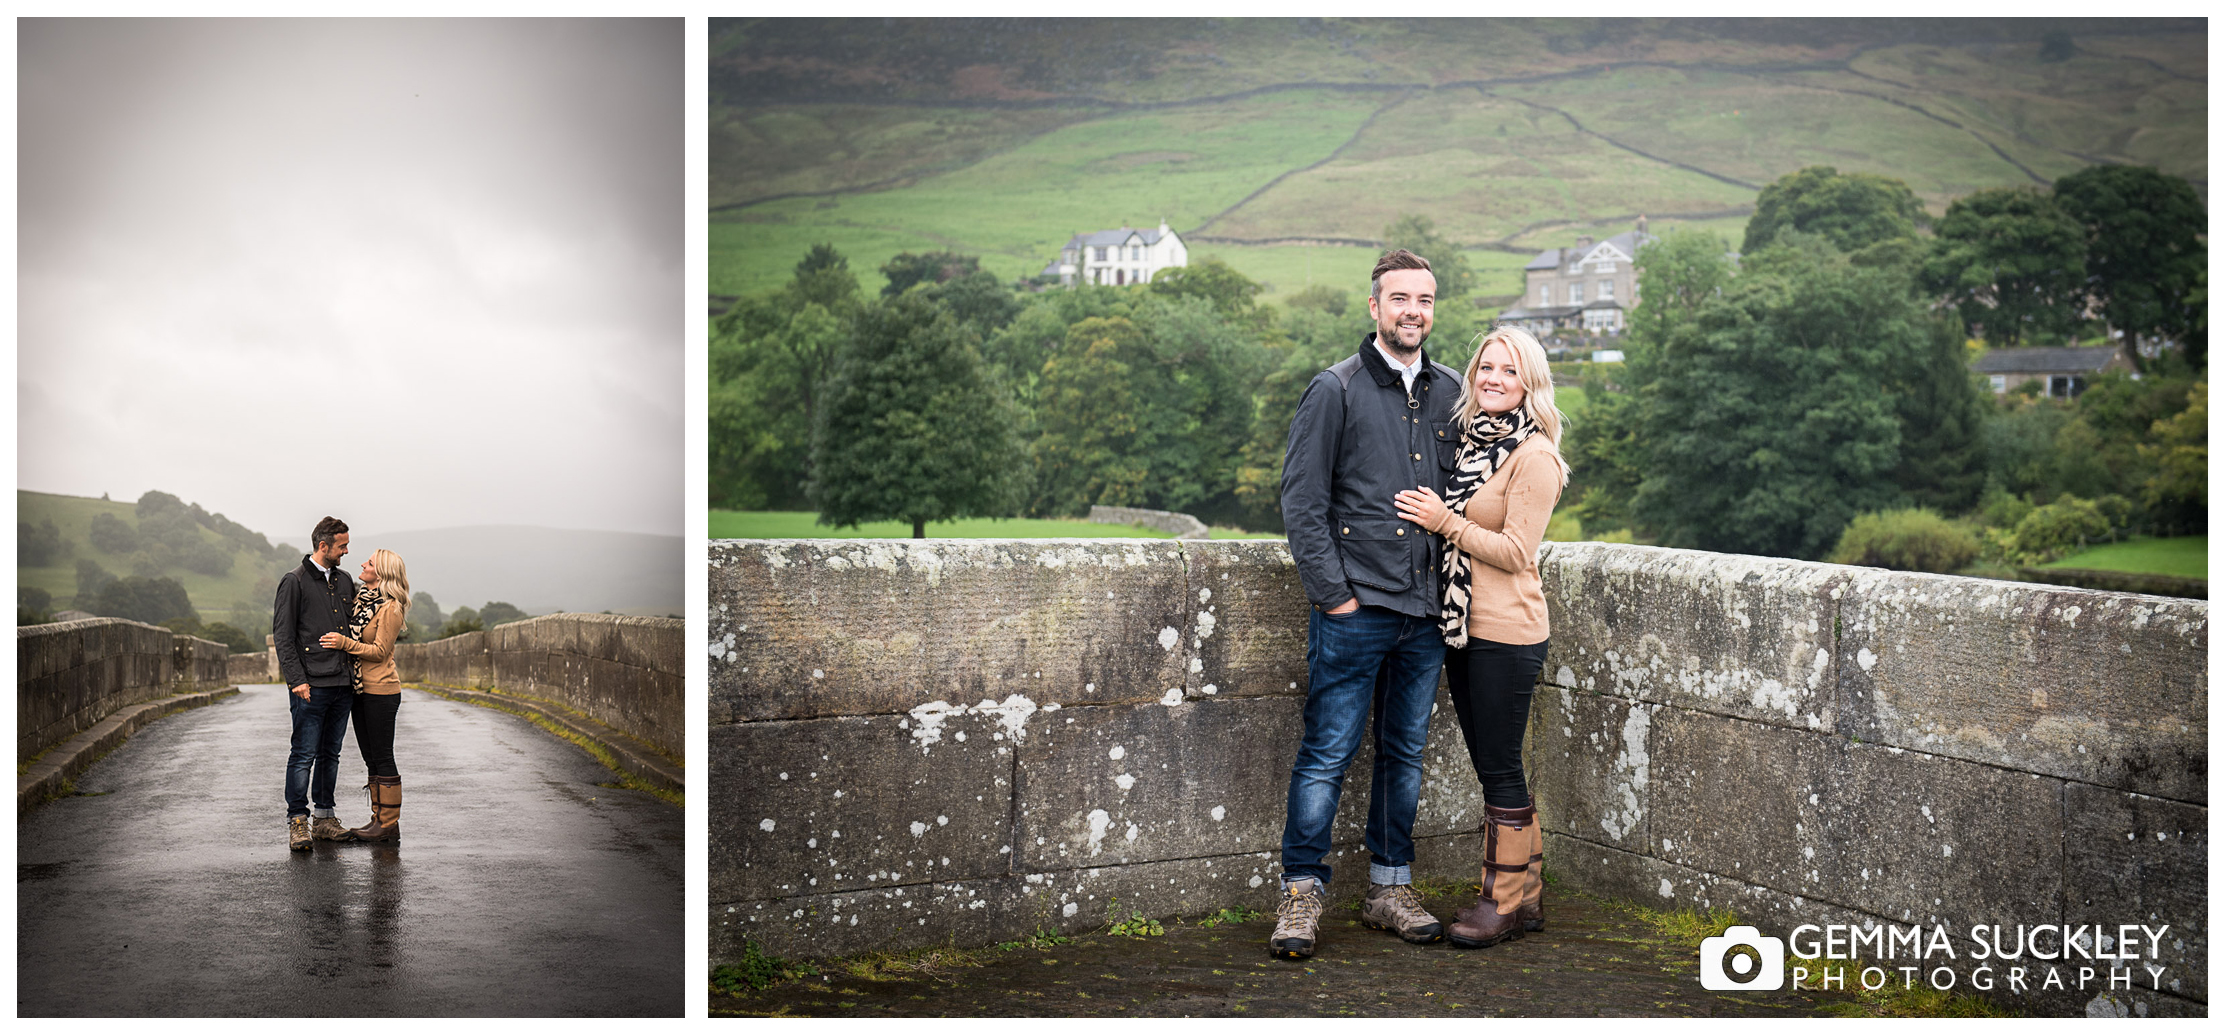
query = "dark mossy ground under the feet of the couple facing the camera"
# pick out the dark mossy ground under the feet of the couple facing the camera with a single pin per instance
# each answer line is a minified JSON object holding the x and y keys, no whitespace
{"x":1595,"y":959}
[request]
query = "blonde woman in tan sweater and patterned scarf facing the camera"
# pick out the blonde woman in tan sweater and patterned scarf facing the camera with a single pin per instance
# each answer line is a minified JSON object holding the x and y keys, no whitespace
{"x":1501,"y":496}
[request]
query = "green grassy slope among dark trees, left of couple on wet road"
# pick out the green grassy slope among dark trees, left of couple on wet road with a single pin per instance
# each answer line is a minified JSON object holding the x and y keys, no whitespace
{"x":242,"y":596}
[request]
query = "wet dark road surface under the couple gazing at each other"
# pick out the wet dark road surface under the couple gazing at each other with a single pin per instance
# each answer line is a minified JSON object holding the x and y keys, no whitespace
{"x":522,"y":888}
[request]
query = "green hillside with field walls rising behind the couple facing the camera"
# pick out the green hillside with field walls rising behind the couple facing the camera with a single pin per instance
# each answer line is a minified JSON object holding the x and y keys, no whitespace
{"x":1288,"y":146}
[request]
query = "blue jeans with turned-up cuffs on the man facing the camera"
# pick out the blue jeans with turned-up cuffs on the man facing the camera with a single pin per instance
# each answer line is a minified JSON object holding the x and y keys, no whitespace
{"x":1359,"y":661}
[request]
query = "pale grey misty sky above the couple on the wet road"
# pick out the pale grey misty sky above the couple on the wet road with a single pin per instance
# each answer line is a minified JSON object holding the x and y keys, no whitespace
{"x":411,"y":273}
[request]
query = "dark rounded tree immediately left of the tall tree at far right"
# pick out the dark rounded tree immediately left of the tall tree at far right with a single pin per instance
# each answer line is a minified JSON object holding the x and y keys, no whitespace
{"x":2011,"y":262}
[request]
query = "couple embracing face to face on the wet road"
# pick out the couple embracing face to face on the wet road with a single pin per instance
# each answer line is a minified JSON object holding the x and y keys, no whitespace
{"x":337,"y":658}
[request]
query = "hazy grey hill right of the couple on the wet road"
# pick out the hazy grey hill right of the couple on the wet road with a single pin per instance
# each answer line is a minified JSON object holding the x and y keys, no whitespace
{"x":540,"y":569}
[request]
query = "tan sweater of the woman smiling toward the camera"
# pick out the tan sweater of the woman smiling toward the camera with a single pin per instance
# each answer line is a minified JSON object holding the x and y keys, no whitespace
{"x":1501,"y":531}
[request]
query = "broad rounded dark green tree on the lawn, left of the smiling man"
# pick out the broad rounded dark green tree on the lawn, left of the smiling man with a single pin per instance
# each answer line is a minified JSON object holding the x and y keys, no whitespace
{"x":914,"y":424}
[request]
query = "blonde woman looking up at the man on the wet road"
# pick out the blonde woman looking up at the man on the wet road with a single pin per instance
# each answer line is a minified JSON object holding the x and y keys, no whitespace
{"x":382,"y":607}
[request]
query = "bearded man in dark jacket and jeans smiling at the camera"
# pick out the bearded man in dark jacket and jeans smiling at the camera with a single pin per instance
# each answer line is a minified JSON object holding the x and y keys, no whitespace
{"x":1370,"y":427}
